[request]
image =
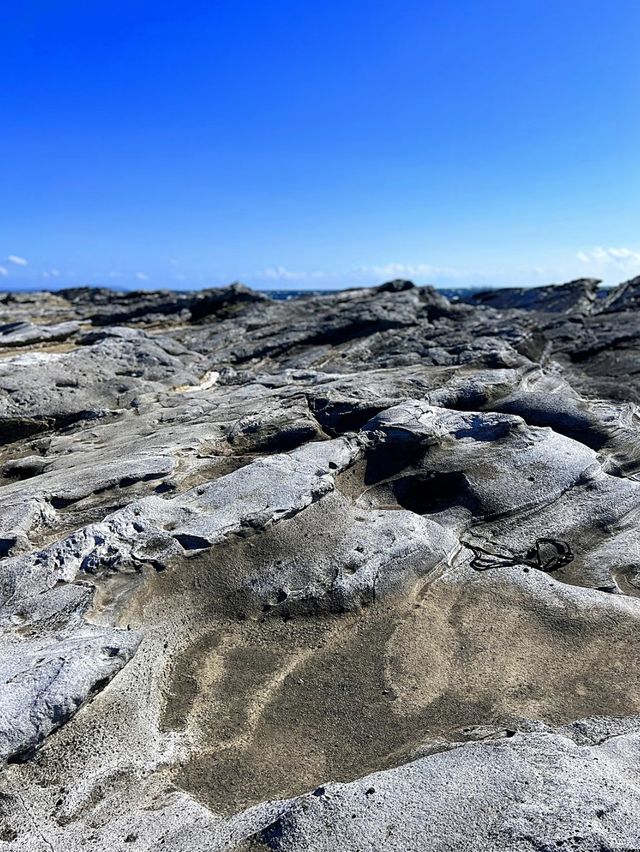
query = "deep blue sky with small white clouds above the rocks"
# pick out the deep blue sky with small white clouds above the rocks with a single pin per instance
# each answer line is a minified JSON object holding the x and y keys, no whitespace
{"x":318,"y":144}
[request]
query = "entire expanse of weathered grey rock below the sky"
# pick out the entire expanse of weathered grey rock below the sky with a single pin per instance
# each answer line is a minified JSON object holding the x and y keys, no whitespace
{"x":354,"y":571}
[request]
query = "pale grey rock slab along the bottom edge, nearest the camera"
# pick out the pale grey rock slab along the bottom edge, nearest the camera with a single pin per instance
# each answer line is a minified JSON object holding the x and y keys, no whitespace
{"x":532,"y":791}
